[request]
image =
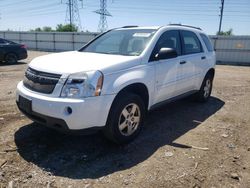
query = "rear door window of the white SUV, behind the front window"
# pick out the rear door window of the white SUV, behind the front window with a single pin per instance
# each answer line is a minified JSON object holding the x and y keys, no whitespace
{"x":191,"y":43}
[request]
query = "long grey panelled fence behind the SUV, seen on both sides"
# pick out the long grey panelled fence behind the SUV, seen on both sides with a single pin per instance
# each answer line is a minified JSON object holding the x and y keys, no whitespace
{"x":229,"y":49}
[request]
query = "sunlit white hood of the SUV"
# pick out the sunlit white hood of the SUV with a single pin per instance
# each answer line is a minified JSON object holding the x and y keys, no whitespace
{"x":72,"y":62}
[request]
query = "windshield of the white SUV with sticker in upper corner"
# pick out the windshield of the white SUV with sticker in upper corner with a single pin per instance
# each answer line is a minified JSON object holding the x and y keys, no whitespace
{"x":130,"y":42}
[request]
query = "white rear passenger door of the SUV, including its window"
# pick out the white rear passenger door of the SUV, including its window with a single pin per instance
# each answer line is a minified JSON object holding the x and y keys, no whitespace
{"x":192,"y":54}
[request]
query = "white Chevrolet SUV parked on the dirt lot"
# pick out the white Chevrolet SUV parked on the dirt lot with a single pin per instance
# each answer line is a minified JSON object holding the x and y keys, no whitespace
{"x":112,"y":81}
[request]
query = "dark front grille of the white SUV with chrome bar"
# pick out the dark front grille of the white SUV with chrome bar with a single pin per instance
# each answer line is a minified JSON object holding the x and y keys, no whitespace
{"x":41,"y":82}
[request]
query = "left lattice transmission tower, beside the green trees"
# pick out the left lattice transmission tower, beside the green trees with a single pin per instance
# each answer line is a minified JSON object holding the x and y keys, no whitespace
{"x":72,"y":13}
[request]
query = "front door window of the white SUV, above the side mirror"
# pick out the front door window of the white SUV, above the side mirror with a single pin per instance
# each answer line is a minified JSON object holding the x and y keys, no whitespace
{"x":169,"y":39}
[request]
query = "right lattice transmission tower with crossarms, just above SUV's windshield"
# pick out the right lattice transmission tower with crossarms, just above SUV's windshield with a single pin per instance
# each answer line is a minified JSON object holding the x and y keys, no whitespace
{"x":103,"y":24}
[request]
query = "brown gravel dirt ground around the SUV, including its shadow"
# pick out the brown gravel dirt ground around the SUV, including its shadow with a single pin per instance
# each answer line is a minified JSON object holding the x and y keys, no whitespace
{"x":183,"y":144}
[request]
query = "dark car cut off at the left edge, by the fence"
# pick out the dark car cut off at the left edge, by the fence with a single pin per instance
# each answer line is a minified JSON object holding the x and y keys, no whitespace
{"x":11,"y":52}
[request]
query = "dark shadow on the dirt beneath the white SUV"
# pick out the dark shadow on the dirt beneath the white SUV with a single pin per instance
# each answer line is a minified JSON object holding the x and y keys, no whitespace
{"x":93,"y":156}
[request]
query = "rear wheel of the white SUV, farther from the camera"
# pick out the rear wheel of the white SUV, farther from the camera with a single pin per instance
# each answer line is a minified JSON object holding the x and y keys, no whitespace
{"x":206,"y":88}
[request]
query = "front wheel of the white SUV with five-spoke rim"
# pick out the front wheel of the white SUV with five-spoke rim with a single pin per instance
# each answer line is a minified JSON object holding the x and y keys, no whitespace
{"x":125,"y":118}
